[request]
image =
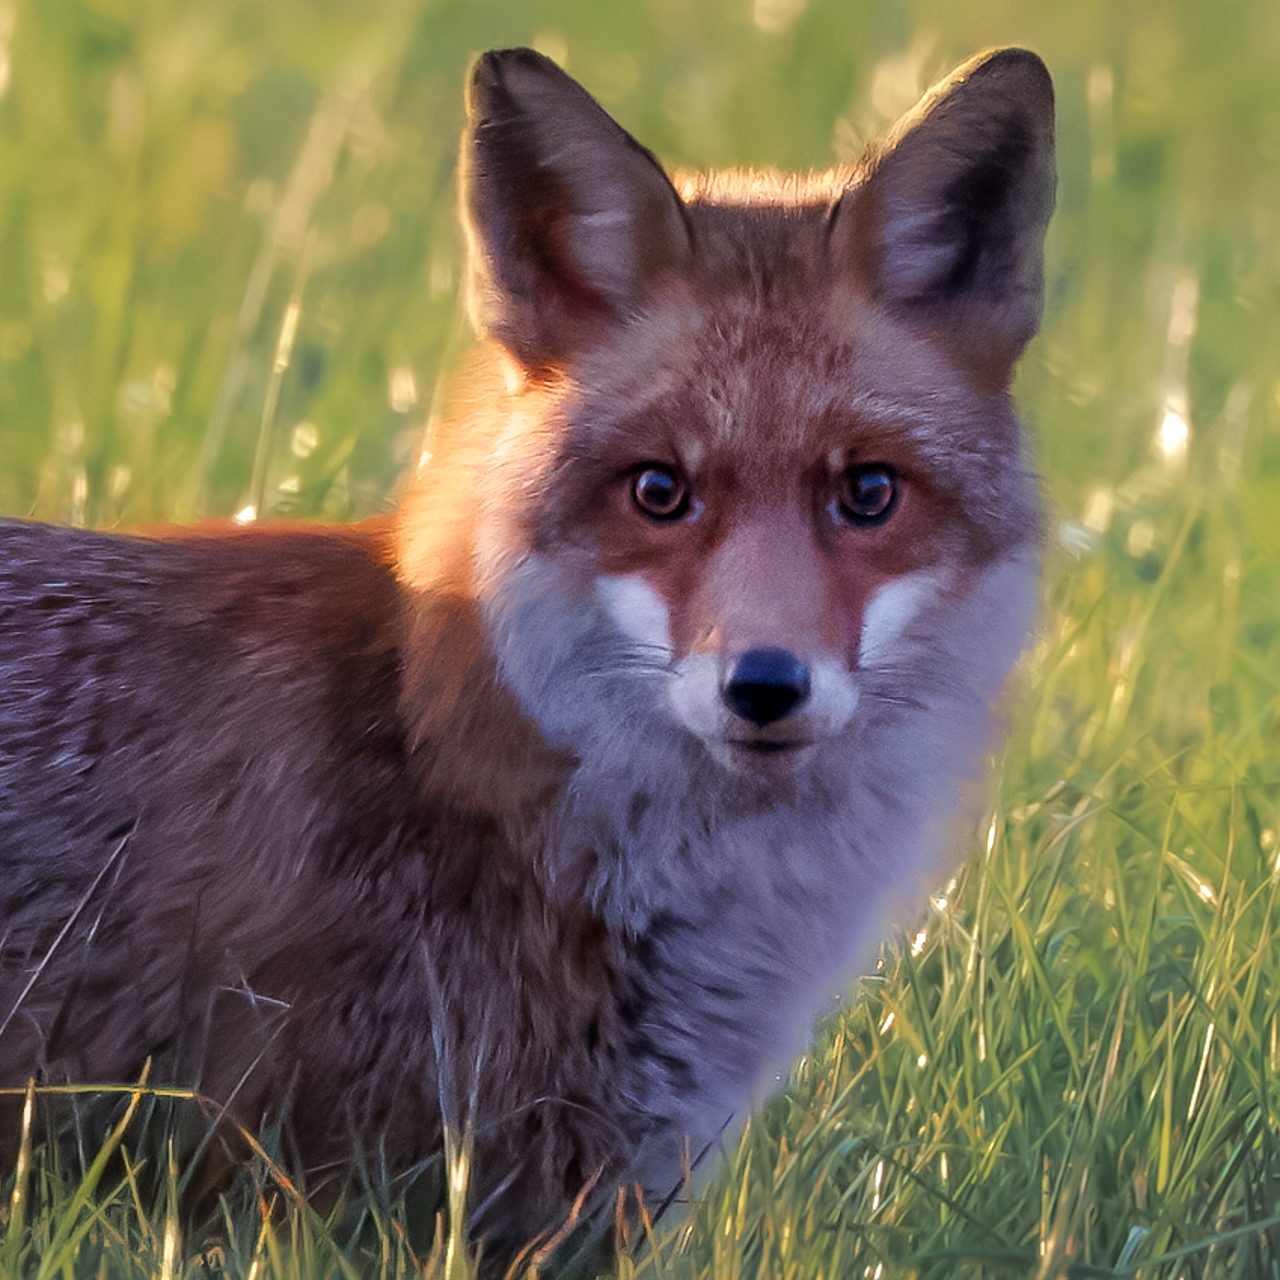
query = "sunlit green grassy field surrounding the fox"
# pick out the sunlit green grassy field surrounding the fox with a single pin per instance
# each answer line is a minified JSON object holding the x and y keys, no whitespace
{"x":230,"y":271}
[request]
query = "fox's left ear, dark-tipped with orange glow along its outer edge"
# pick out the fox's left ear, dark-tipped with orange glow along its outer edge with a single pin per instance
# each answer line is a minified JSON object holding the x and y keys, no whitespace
{"x":570,"y":221}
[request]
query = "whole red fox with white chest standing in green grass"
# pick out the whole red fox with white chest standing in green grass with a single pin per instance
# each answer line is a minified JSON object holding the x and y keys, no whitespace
{"x":560,"y":802}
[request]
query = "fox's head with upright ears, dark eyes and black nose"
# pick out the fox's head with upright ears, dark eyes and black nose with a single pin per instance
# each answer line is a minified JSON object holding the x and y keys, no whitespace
{"x":748,"y":473}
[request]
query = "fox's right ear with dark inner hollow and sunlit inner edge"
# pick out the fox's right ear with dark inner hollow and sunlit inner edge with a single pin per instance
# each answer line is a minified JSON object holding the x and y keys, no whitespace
{"x":950,"y":221}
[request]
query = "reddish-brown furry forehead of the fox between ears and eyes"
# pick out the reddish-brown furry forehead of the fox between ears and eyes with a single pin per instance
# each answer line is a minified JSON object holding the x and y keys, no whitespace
{"x":765,"y":319}
